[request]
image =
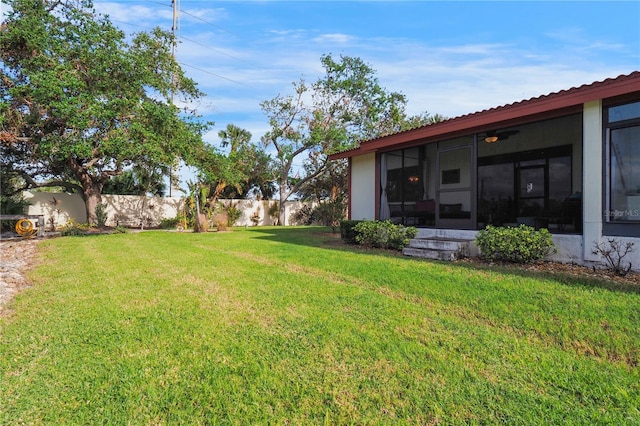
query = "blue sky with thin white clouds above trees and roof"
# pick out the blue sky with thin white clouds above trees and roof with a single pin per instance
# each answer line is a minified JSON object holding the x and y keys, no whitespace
{"x":451,"y":57}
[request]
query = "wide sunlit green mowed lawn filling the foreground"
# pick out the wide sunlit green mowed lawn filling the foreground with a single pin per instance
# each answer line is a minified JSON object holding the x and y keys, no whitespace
{"x":279,"y":326}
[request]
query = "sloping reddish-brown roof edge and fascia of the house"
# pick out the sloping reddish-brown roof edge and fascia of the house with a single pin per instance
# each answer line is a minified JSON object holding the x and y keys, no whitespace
{"x":554,"y":104}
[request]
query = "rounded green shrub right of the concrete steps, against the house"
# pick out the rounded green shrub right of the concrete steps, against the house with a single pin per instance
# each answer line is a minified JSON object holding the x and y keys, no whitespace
{"x":522,"y":244}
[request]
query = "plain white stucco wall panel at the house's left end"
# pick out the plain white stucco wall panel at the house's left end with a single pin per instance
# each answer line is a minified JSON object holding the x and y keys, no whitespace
{"x":363,"y":189}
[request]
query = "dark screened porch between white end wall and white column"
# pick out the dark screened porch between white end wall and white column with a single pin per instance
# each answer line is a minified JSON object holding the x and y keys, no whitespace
{"x":530,"y":173}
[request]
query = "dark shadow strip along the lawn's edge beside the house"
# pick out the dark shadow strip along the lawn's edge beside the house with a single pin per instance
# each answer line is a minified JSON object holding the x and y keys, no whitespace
{"x":571,"y":275}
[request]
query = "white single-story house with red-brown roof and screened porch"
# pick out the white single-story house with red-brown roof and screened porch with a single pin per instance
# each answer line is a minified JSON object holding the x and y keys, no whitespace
{"x":568,"y":161}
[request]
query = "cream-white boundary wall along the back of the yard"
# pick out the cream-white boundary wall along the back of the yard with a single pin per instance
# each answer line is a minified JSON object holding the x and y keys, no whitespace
{"x":132,"y":210}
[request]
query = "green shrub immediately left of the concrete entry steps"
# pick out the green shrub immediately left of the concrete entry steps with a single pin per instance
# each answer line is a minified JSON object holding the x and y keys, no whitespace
{"x":384,"y":234}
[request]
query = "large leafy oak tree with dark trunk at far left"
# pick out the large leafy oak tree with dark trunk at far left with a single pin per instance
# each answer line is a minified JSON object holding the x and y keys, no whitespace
{"x":79,"y":102}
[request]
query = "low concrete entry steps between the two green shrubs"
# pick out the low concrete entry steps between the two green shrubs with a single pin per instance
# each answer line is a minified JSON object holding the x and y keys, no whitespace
{"x":439,"y":248}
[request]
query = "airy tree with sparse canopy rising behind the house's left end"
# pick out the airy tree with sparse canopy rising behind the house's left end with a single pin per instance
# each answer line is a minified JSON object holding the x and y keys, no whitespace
{"x":343,"y":107}
